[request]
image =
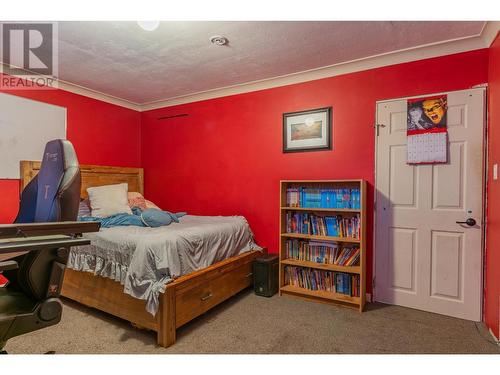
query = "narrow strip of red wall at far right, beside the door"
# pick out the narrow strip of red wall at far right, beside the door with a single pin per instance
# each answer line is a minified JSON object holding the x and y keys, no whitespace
{"x":492,"y":287}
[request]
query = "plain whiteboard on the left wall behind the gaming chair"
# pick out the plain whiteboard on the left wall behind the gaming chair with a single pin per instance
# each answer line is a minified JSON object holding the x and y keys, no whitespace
{"x":25,"y":127}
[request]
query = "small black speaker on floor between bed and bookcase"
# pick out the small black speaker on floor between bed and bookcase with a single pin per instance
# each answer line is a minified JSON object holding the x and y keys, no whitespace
{"x":265,"y":275}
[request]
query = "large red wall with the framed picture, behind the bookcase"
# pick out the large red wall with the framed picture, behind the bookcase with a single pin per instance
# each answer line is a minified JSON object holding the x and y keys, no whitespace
{"x":225,"y":157}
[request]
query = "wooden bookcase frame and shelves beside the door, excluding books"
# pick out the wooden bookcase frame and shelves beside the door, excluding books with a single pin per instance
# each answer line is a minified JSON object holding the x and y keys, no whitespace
{"x":356,"y":302}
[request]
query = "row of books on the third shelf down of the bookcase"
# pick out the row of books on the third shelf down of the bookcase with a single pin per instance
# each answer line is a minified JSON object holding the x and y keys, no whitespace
{"x":322,"y":252}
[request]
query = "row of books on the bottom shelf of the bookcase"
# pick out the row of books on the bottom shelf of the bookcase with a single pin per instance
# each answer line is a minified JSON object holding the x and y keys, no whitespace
{"x":327,"y":281}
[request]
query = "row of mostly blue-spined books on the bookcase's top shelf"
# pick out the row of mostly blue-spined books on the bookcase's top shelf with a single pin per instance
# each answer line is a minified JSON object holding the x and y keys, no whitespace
{"x":308,"y":197}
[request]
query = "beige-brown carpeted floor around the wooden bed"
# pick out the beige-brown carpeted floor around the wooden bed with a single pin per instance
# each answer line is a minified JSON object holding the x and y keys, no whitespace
{"x":250,"y":324}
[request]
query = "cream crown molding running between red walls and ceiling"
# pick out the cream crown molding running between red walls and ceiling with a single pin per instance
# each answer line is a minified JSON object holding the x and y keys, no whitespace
{"x":449,"y":47}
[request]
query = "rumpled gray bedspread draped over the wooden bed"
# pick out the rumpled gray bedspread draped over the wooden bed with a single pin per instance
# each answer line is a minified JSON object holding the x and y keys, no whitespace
{"x":143,"y":260}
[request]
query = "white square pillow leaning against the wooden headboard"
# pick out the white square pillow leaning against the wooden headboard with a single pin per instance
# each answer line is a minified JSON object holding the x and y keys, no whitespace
{"x":109,"y":200}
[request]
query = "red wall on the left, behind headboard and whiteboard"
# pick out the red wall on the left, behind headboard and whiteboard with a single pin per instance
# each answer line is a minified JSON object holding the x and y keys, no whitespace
{"x":101,"y":133}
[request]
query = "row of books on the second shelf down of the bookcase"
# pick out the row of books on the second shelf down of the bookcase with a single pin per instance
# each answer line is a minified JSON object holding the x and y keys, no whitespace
{"x":333,"y":226}
